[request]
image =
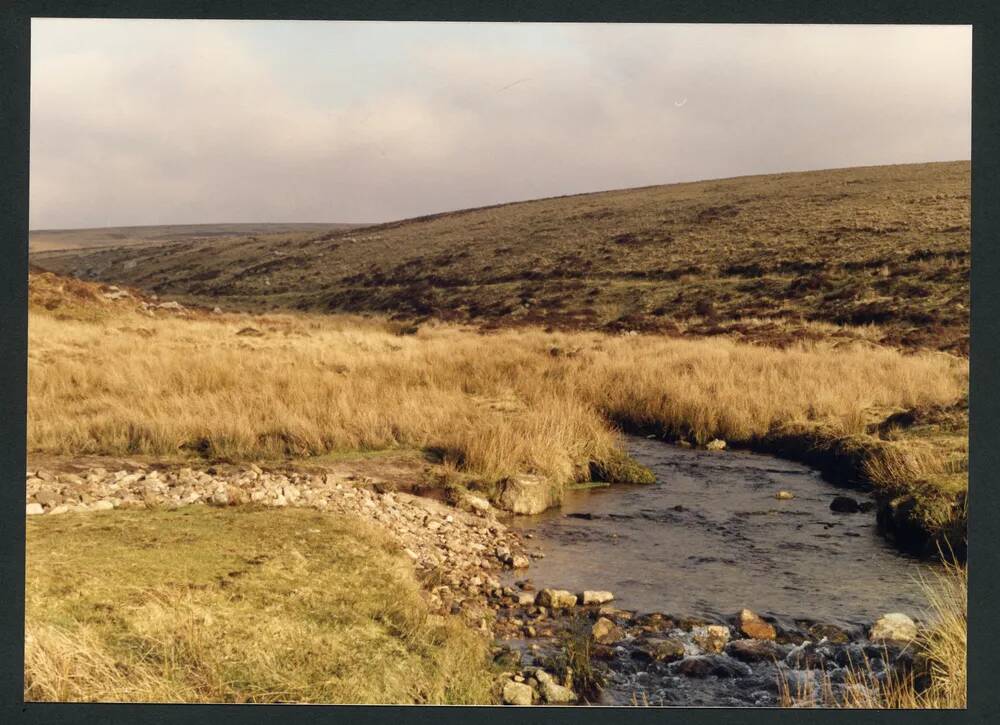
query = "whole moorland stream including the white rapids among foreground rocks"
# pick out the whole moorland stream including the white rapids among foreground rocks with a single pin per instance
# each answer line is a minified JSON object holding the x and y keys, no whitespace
{"x":710,"y":537}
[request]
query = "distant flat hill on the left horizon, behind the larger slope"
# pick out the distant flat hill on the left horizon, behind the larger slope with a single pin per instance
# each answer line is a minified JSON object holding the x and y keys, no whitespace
{"x":44,"y":240}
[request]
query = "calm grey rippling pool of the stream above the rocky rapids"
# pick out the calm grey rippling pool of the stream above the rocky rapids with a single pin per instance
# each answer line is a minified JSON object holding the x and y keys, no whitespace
{"x":710,"y":538}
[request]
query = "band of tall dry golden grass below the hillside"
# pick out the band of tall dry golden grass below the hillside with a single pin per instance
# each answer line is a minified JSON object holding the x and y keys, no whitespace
{"x":498,"y":404}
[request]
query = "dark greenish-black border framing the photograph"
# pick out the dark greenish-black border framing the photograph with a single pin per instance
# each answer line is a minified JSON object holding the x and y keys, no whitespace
{"x":984,"y":401}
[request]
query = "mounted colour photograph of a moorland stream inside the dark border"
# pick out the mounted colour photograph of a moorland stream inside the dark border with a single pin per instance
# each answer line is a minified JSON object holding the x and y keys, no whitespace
{"x":501,"y":364}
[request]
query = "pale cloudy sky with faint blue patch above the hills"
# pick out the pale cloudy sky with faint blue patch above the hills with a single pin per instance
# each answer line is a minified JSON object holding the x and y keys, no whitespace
{"x":194,"y":121}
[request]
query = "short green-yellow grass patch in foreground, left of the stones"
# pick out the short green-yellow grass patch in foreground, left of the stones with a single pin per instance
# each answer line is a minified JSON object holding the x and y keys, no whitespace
{"x":206,"y":605}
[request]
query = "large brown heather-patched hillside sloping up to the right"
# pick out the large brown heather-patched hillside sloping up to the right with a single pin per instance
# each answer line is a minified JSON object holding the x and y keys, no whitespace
{"x":763,"y":258}
